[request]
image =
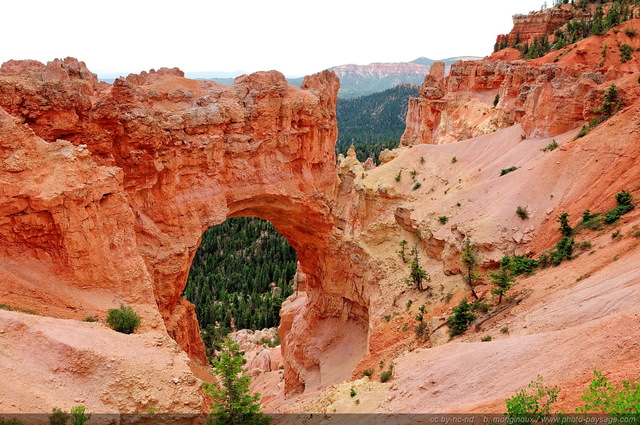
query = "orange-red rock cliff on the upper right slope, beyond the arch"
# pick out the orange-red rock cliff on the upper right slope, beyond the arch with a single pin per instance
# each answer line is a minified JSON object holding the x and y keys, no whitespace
{"x":548,"y":96}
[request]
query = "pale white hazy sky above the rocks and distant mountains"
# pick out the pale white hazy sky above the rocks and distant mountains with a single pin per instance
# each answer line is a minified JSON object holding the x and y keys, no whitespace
{"x":295,"y":37}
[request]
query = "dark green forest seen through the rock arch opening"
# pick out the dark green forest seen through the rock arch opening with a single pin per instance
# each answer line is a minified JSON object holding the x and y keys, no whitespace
{"x":240,"y":275}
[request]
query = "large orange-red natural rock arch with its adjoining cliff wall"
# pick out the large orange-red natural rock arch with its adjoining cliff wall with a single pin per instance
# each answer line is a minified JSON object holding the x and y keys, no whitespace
{"x":149,"y":163}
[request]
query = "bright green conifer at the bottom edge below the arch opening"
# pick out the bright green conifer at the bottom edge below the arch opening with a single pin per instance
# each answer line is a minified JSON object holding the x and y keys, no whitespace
{"x":232,"y":402}
